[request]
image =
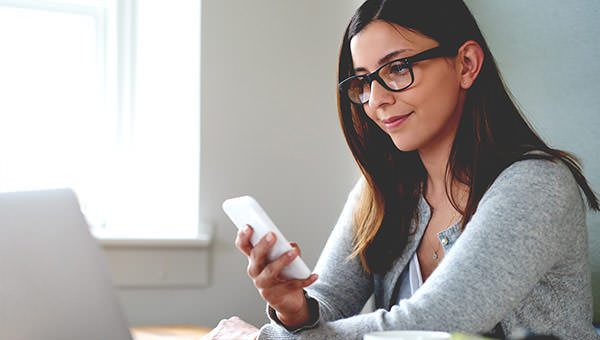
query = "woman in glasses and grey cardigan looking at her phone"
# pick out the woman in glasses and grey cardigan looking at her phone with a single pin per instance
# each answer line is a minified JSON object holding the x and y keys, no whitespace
{"x":465,"y":219}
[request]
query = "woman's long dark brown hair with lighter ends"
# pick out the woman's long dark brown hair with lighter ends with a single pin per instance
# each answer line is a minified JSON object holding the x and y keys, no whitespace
{"x":492,"y":134}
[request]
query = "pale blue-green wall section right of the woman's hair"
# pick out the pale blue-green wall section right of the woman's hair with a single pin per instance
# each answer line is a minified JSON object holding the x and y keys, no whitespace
{"x":548,"y":53}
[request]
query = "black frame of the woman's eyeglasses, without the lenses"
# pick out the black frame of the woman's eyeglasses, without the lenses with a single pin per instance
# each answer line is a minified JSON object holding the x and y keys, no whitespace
{"x":436,"y":52}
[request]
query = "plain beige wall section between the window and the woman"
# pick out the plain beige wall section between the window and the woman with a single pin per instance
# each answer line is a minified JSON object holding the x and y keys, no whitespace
{"x":268,"y":128}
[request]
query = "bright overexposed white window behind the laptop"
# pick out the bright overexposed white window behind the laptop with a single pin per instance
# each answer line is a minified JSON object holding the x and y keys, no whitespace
{"x":103,"y":96}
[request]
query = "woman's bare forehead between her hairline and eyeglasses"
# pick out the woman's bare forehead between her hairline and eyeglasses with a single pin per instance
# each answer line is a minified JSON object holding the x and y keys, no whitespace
{"x":379,"y":39}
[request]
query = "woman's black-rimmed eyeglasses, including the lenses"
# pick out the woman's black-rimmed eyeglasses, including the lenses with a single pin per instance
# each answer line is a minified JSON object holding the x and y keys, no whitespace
{"x":397,"y":75}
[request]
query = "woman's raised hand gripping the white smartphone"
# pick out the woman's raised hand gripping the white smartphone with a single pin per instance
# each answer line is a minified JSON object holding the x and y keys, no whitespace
{"x":286,"y":296}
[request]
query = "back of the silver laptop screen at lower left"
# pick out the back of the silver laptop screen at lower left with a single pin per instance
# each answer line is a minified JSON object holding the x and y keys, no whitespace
{"x":54,"y":282}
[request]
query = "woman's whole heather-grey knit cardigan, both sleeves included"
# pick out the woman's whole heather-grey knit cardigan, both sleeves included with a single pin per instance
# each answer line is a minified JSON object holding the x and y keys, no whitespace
{"x":522,"y":262}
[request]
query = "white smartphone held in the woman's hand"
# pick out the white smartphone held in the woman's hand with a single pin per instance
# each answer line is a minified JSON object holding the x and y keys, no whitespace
{"x":246,"y":210}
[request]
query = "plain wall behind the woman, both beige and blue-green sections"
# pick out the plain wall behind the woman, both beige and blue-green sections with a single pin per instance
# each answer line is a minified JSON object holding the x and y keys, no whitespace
{"x":269,"y":125}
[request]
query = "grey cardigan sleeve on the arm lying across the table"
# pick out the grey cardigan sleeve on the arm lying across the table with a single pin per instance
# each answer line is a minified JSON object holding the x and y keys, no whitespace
{"x":516,"y":235}
